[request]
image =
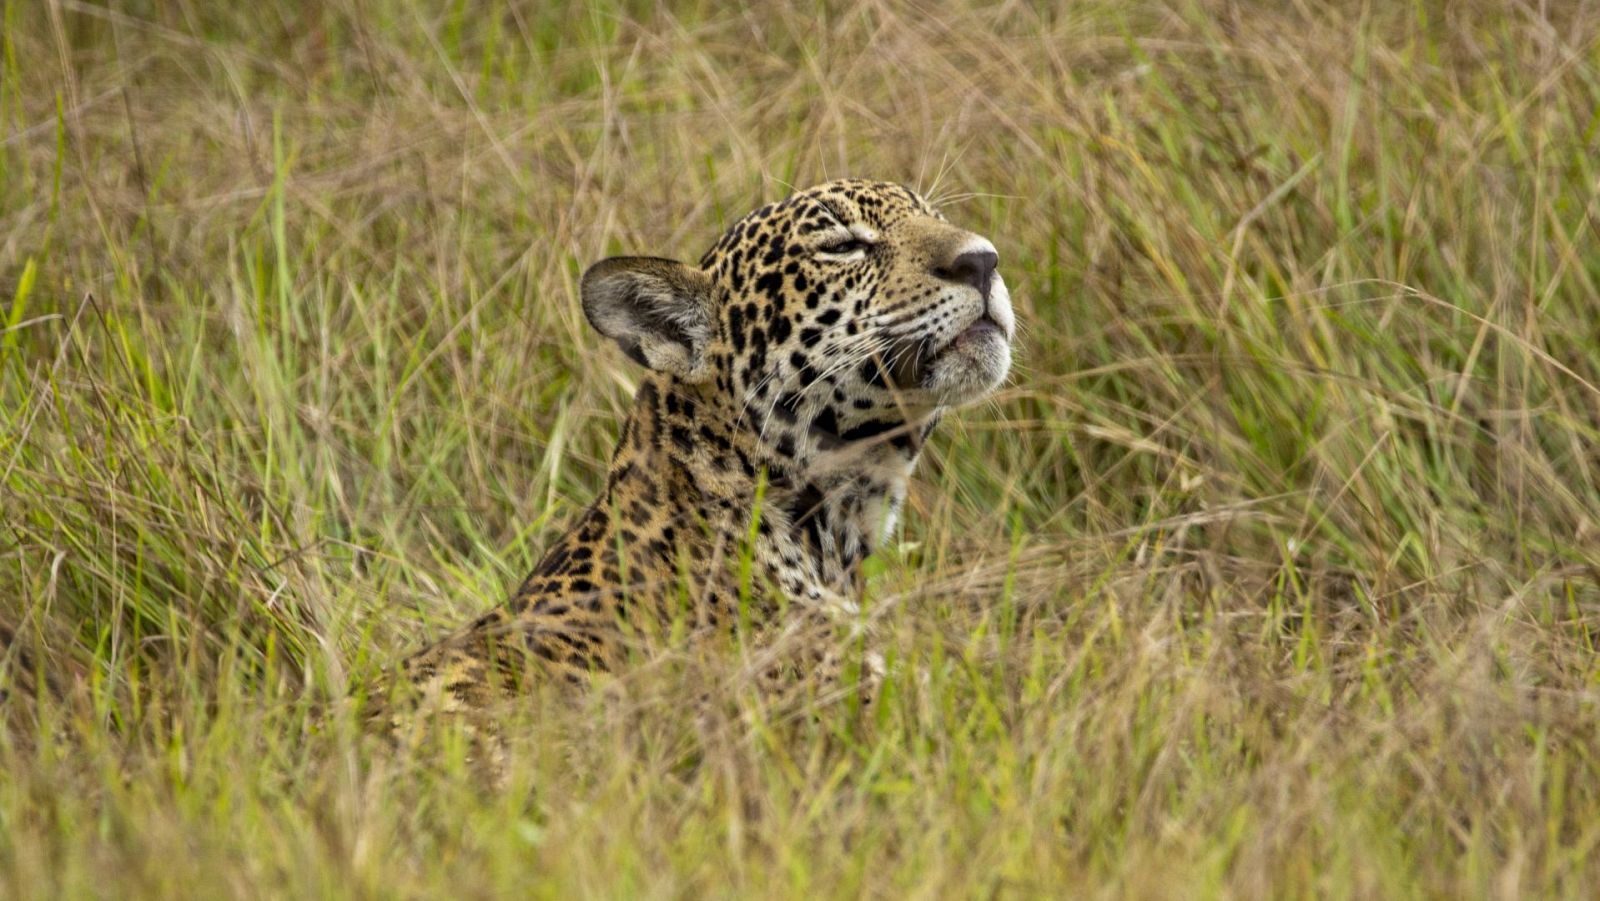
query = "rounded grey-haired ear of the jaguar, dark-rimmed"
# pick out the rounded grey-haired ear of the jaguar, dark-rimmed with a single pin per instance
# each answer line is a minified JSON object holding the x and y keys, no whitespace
{"x":657,"y":310}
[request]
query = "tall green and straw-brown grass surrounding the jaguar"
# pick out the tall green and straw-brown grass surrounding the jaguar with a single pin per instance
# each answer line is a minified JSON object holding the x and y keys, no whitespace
{"x":1273,"y":572}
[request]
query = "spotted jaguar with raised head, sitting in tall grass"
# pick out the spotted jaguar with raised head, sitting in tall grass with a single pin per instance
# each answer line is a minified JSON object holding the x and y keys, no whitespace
{"x":794,"y":377}
